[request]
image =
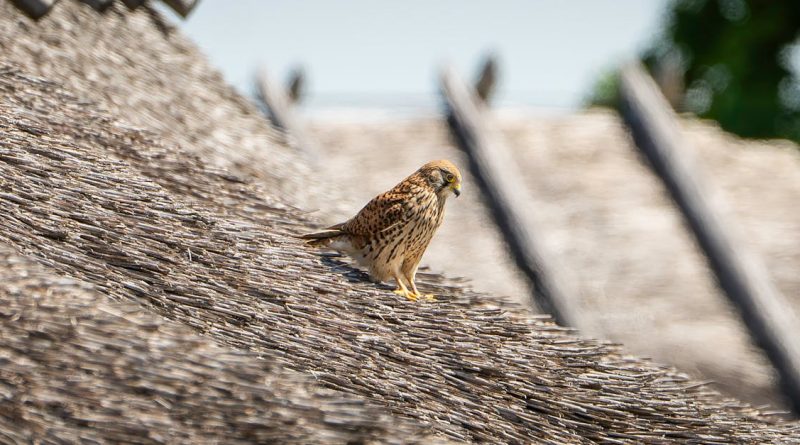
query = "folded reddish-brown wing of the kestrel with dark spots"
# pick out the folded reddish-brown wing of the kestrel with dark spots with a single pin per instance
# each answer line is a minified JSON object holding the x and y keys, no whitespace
{"x":384,"y":212}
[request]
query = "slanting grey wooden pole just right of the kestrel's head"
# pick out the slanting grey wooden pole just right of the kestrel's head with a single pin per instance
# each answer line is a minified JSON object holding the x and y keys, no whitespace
{"x":498,"y":178}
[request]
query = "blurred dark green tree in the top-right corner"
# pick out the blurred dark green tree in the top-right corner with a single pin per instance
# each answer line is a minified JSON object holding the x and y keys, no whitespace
{"x":734,"y":61}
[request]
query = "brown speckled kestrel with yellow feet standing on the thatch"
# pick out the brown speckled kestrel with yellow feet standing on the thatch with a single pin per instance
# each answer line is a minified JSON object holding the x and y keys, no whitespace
{"x":390,"y":234}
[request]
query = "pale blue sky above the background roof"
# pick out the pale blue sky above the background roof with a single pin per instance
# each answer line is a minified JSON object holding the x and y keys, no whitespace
{"x":387,"y":53}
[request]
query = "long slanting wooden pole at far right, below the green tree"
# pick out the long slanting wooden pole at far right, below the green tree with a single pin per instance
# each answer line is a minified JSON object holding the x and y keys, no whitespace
{"x":740,"y":272}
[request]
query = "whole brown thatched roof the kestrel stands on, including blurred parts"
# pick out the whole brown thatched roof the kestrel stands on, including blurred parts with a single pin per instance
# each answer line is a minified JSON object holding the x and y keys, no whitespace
{"x":109,"y":196}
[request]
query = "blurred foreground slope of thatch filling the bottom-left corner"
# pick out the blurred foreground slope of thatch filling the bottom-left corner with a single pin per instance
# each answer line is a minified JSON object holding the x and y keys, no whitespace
{"x":77,"y":368}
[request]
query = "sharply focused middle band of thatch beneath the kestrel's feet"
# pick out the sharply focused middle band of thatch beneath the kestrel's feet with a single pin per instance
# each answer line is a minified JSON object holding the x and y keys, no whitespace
{"x":93,"y":199}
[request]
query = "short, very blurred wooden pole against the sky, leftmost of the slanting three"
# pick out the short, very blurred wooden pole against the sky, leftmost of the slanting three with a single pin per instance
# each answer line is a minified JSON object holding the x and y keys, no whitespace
{"x":279,"y":105}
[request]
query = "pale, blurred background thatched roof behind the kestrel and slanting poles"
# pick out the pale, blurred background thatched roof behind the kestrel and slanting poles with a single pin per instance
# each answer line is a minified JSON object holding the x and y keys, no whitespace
{"x":606,"y":220}
